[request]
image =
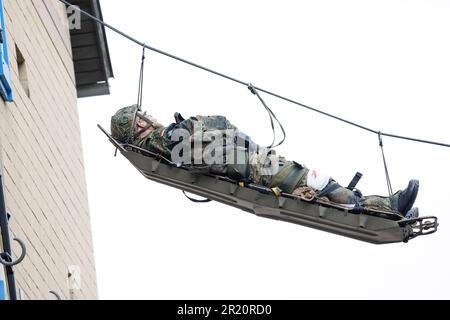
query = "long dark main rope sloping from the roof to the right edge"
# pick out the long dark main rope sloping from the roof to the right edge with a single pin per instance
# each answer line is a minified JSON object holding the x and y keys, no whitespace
{"x":142,"y":44}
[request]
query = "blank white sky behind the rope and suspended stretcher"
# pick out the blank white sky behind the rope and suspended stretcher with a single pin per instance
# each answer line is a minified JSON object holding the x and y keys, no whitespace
{"x":383,"y":64}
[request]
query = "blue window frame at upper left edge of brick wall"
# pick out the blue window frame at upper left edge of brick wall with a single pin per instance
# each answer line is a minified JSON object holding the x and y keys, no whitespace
{"x":5,"y":77}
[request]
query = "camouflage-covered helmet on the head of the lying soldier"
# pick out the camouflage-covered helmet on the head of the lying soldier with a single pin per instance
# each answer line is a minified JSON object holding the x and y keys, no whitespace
{"x":122,"y":124}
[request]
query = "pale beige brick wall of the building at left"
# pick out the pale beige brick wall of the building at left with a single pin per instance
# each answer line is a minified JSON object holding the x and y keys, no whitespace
{"x":41,"y":153}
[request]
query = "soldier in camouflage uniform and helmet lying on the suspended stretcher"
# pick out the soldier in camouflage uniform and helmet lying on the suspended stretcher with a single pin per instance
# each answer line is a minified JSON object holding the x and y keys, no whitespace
{"x":213,"y":142}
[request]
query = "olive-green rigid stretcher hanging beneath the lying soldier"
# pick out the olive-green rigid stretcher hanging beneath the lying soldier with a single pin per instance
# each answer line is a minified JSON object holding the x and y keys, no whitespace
{"x":373,"y":226}
